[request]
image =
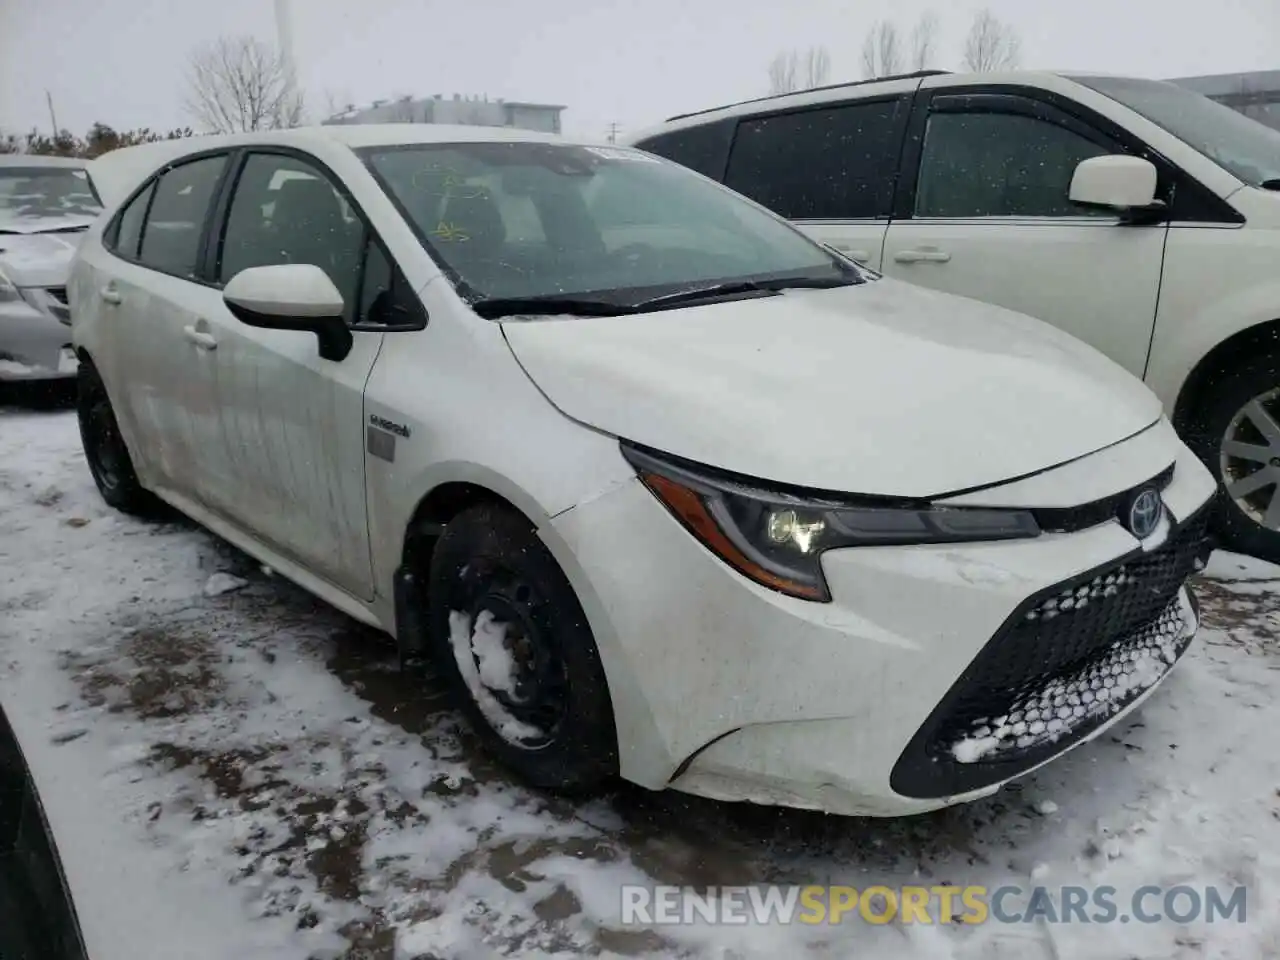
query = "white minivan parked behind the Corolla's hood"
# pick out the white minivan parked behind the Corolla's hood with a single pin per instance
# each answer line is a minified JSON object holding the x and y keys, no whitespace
{"x":1135,"y":214}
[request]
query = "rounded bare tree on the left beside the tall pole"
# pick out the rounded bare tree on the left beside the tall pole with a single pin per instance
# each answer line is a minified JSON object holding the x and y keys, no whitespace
{"x":241,"y":84}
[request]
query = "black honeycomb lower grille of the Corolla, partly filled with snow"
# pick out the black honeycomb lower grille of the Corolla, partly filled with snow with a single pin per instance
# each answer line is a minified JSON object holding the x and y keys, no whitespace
{"x":1063,"y":643}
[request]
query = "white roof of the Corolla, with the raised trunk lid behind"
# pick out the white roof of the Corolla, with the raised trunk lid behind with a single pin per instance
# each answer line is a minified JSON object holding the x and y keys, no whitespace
{"x":118,"y":173}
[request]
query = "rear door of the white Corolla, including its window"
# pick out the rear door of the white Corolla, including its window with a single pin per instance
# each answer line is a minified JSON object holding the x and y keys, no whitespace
{"x":149,"y":292}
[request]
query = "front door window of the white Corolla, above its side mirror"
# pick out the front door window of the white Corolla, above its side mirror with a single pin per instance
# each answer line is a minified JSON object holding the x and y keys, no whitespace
{"x":287,"y":212}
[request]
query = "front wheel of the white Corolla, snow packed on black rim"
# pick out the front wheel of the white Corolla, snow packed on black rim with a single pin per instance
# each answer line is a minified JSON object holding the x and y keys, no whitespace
{"x":488,"y":569}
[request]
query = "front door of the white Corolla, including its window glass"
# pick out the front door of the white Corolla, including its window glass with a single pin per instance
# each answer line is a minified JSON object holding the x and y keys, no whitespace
{"x":290,"y":463}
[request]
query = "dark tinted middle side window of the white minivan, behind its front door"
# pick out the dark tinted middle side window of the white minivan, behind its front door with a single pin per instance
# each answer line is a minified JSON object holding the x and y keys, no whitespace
{"x":830,"y":164}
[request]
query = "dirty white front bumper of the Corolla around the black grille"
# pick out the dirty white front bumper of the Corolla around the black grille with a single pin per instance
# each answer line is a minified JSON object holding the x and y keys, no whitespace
{"x":730,"y":691}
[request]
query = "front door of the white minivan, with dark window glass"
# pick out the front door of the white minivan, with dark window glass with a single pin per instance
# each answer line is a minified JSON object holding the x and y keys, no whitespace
{"x":988,"y":216}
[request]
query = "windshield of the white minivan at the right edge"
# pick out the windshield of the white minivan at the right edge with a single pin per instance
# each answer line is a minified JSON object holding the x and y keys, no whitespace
{"x":1246,"y":148}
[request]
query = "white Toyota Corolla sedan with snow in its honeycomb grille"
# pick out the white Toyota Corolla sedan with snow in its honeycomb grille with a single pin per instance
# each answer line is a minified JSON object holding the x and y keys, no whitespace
{"x":665,"y":488}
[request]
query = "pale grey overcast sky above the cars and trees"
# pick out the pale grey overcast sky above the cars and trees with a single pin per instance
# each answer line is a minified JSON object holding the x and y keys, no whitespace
{"x":625,"y":62}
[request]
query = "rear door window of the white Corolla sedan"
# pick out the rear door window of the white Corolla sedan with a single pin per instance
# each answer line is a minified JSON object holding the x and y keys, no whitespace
{"x":171,"y":239}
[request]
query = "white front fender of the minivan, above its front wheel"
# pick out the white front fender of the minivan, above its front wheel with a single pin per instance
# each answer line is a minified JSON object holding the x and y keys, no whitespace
{"x":1218,"y":282}
